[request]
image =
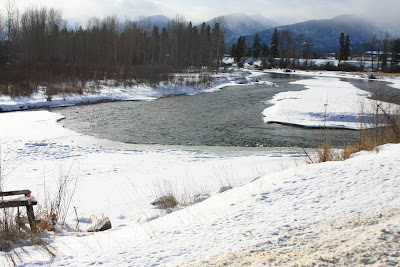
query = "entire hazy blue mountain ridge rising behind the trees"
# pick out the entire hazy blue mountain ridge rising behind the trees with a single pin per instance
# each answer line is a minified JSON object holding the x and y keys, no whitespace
{"x":324,"y":32}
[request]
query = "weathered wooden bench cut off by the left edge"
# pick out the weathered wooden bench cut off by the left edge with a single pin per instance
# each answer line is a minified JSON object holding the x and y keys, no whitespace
{"x":25,"y":200}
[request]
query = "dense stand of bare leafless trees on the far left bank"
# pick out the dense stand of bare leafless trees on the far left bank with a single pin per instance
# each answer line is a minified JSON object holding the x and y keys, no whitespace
{"x":37,"y":44}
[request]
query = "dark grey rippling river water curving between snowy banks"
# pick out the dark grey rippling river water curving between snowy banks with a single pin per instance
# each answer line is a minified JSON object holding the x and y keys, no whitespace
{"x":229,"y":117}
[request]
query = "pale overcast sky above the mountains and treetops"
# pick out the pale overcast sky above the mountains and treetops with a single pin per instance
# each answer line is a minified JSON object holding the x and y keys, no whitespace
{"x":282,"y":11}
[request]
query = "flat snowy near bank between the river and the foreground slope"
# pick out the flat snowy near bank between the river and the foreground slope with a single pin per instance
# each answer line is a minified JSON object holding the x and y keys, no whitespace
{"x":115,"y":179}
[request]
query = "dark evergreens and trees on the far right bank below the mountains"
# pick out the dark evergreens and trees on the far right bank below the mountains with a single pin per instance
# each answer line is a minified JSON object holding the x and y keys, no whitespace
{"x":286,"y":50}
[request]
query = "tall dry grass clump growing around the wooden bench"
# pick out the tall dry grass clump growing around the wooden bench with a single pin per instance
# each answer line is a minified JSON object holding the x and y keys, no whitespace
{"x":15,"y":233}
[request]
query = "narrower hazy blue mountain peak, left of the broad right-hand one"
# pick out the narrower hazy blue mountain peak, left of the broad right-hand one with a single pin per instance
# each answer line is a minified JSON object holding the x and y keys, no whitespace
{"x":239,"y":24}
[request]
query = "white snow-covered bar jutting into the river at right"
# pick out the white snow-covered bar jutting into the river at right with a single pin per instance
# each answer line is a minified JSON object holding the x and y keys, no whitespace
{"x":327,"y":102}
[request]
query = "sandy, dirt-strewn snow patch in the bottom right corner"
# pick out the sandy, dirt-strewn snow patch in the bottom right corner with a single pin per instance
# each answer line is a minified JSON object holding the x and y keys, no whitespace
{"x":372,"y":239}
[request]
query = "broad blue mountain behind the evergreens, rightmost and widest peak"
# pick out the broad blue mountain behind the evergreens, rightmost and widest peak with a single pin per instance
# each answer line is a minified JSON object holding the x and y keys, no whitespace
{"x":325,"y":33}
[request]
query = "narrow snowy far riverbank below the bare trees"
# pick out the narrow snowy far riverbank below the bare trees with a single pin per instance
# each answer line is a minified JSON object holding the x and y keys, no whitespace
{"x":108,"y":91}
